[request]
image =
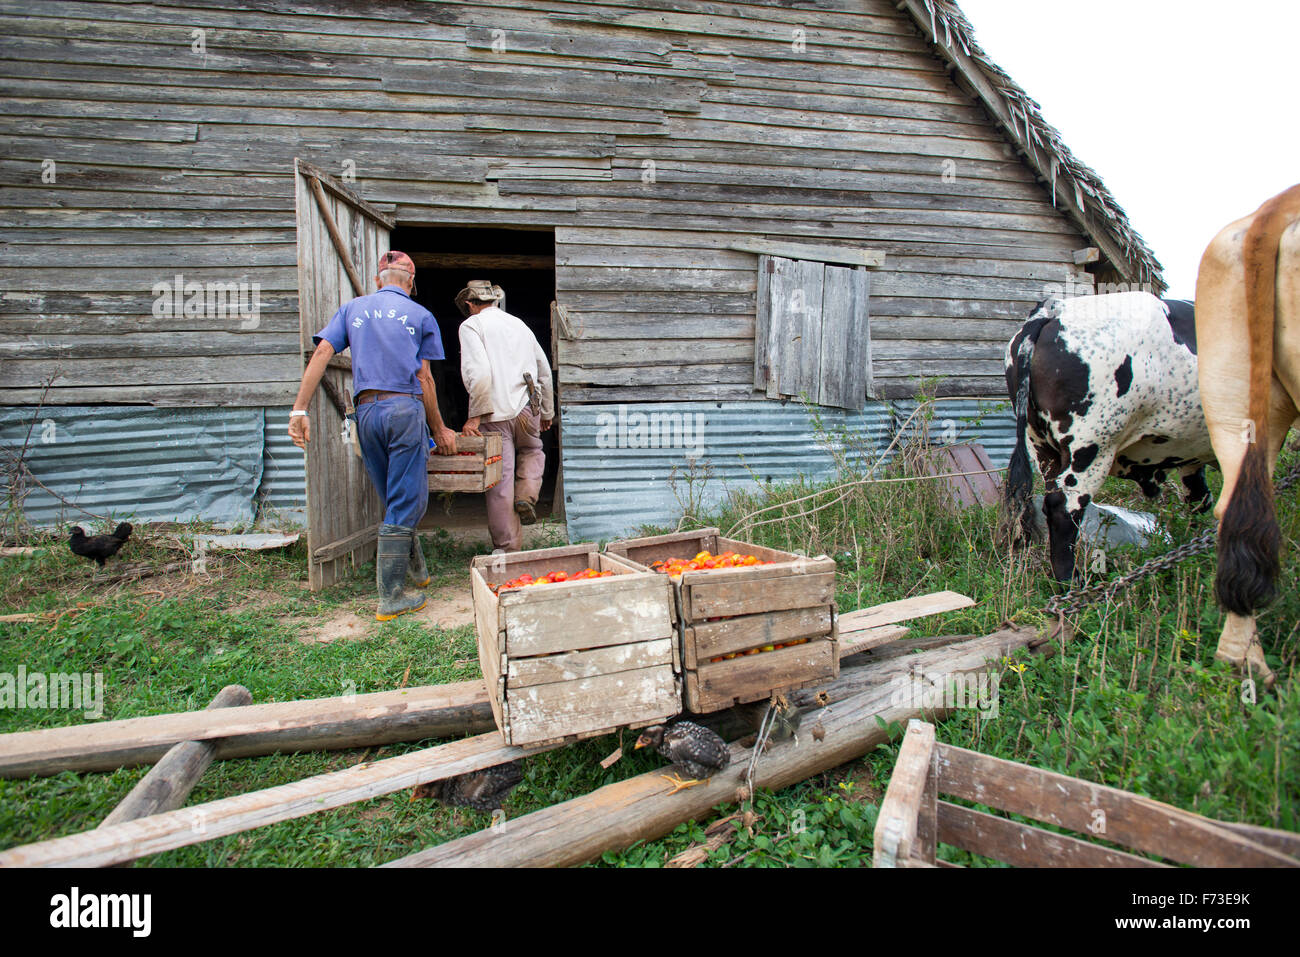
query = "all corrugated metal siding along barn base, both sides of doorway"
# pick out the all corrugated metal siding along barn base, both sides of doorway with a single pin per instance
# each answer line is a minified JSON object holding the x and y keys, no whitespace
{"x":223,"y":465}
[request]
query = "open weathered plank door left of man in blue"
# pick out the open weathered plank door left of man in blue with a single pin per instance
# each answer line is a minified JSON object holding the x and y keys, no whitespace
{"x":340,"y":241}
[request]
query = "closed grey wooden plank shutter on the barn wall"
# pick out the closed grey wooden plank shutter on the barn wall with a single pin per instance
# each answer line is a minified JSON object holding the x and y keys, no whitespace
{"x":813,"y":332}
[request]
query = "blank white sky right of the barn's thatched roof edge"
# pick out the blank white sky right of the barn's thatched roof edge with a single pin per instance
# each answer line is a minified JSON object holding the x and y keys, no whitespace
{"x":1189,"y":110}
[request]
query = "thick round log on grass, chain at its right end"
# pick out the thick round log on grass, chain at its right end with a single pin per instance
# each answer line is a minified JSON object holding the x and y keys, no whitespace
{"x":642,"y":808}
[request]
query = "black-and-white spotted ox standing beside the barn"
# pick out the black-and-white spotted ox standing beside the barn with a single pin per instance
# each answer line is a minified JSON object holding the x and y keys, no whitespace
{"x":1103,"y":386}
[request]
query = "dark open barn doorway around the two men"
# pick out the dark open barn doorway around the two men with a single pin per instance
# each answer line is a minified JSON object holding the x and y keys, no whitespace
{"x":523,"y":263}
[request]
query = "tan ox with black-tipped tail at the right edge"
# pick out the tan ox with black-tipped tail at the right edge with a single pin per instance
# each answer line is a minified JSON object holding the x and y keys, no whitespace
{"x":1249,"y":330}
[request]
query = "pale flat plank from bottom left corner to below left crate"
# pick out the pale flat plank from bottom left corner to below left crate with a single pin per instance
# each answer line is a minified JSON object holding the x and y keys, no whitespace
{"x":203,"y":822}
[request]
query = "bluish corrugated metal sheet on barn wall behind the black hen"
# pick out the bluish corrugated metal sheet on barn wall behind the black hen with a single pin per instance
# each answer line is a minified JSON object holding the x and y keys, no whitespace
{"x":141,"y":464}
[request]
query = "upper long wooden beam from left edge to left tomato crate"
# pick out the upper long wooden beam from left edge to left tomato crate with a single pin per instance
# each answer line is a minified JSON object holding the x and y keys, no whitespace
{"x":356,"y":721}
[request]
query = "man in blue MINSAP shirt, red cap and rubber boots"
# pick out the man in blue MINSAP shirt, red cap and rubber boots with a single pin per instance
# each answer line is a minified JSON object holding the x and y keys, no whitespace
{"x":392,"y":339}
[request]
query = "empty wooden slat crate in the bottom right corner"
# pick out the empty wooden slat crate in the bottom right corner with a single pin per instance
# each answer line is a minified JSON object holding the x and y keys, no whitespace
{"x":913,"y":821}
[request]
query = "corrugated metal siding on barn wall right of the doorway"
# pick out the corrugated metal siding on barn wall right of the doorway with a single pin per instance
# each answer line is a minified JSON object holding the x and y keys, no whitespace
{"x":614,"y":484}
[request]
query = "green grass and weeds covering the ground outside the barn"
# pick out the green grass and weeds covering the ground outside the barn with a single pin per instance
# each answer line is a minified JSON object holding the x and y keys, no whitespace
{"x":1136,"y":703}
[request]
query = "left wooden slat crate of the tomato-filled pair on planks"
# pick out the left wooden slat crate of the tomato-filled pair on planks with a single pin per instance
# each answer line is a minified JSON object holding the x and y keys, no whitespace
{"x":578,"y":659}
